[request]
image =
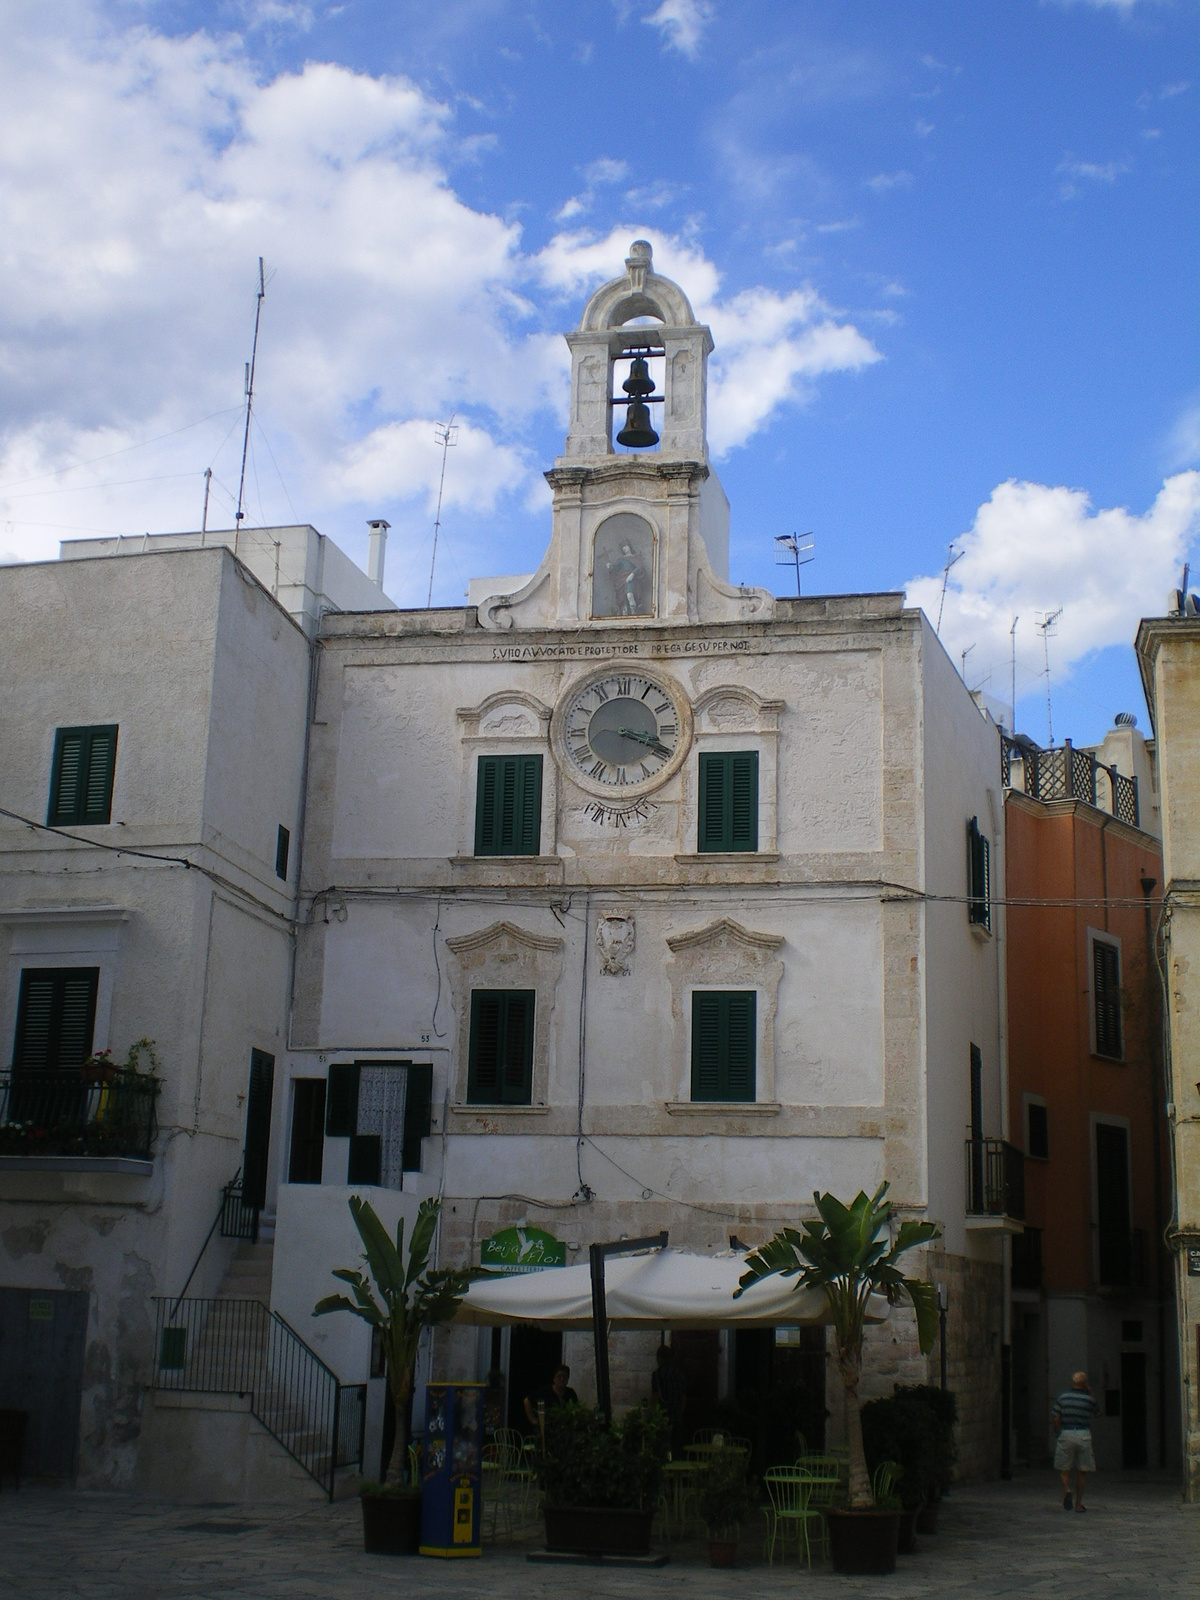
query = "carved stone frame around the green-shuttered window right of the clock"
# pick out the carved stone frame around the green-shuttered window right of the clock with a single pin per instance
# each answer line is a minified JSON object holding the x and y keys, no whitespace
{"x":730,"y":718}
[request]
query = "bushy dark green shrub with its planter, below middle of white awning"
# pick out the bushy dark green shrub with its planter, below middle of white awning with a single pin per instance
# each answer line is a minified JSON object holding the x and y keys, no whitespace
{"x":602,"y":1481}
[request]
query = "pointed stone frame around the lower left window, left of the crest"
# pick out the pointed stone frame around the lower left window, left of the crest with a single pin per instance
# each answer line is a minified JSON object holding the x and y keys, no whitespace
{"x":505,"y":956}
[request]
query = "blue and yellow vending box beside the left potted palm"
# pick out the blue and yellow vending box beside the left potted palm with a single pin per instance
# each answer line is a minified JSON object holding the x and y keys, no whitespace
{"x":454,"y":1468}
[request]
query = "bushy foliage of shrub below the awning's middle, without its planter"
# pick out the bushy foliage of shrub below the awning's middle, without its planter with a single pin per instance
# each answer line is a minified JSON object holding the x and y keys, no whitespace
{"x":586,"y":1463}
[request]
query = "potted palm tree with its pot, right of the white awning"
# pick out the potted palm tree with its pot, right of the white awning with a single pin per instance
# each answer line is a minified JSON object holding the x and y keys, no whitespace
{"x":849,"y":1254}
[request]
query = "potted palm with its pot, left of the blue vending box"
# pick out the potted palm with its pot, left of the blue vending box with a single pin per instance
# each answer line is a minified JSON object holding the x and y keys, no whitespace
{"x":401,"y":1303}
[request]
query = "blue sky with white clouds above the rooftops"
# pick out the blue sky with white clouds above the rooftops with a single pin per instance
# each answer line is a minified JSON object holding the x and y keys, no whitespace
{"x":948,"y":254}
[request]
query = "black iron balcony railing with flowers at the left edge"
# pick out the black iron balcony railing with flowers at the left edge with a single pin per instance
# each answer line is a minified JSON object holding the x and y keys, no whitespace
{"x":62,"y":1114}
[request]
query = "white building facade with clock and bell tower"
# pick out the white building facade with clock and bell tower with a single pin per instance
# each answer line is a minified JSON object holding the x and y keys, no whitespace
{"x":636,"y":900}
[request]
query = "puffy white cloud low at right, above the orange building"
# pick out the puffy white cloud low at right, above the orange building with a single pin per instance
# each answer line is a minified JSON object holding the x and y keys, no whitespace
{"x":1033,"y":550}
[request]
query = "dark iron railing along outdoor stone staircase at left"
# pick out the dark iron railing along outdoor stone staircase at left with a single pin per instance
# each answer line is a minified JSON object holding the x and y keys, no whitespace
{"x":215,"y":1346}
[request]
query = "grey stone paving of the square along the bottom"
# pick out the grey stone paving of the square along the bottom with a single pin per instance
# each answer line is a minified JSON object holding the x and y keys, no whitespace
{"x":998,"y":1540}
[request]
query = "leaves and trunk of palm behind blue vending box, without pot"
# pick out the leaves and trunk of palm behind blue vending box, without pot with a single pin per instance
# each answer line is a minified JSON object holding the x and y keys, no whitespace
{"x":412,"y":1297}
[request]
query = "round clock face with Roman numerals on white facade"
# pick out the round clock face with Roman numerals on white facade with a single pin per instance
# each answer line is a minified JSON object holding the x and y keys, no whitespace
{"x":623,"y":730}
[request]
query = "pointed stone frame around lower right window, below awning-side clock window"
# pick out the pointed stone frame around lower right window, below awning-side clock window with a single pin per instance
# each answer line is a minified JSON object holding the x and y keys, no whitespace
{"x":724,"y":956}
